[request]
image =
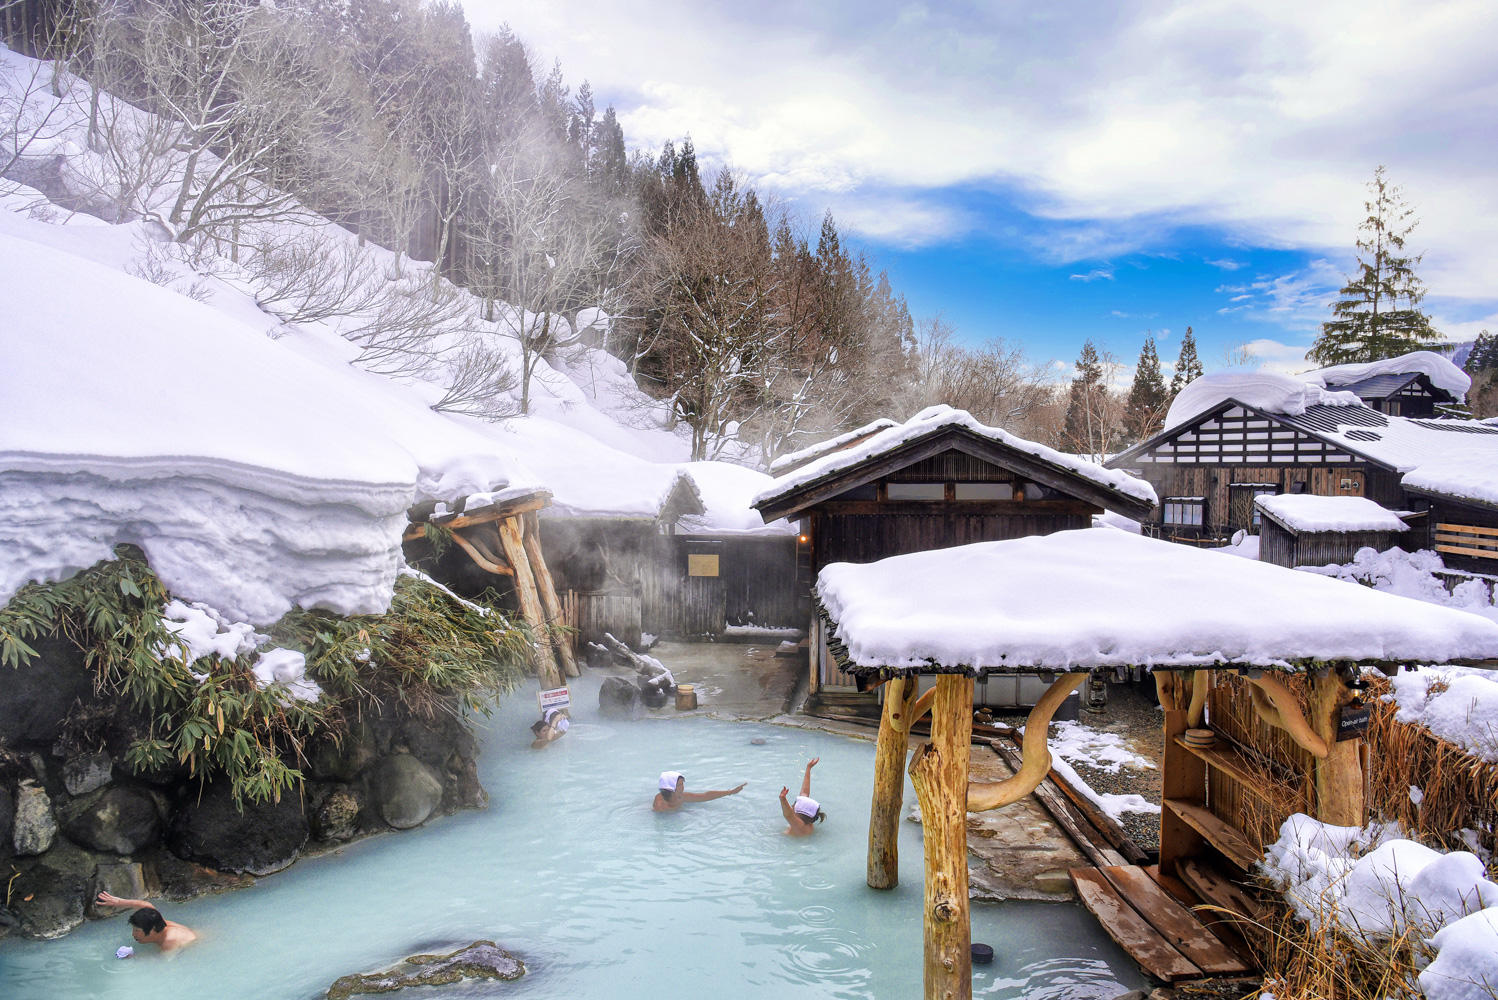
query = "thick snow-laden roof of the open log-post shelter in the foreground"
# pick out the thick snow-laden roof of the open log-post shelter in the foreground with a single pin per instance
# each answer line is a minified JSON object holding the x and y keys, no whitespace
{"x":1097,"y":598}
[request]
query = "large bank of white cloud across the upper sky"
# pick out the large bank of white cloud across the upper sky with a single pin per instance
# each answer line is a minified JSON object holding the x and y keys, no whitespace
{"x":1117,"y":122}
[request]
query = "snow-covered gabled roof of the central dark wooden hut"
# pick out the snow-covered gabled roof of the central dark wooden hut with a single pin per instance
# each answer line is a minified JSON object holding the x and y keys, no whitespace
{"x":940,"y":418}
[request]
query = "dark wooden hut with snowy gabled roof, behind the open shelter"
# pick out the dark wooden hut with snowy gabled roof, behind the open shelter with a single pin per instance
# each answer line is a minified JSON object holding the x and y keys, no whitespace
{"x":937,"y":481}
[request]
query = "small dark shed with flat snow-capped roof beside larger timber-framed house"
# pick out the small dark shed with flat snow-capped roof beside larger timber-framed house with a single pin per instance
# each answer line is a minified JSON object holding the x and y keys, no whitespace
{"x":1314,"y":531}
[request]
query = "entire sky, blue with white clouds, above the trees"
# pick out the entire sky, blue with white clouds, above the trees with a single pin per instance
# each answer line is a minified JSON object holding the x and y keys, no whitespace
{"x":1084,"y":168}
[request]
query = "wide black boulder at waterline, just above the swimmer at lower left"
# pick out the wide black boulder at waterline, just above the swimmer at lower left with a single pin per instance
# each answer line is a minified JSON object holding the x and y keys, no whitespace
{"x":254,"y":838}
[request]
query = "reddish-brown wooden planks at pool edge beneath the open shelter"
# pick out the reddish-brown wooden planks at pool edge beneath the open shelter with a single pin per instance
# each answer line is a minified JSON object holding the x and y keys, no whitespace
{"x":1148,"y":915}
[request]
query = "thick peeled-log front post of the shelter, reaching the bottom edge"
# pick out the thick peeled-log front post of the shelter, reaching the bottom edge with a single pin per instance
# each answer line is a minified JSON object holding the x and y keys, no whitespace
{"x":940,"y":773}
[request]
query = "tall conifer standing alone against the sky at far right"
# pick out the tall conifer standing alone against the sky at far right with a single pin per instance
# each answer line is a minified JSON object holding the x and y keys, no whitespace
{"x":1379,"y":312}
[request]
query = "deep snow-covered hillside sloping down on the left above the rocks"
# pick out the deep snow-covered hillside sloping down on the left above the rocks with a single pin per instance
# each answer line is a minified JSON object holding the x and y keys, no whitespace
{"x":263,"y":447}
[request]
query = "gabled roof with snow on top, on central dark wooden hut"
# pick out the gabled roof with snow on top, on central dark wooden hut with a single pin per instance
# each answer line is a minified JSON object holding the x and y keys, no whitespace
{"x":940,"y":429}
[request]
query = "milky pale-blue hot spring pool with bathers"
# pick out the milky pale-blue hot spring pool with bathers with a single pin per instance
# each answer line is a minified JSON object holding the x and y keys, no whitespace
{"x":601,"y":897}
